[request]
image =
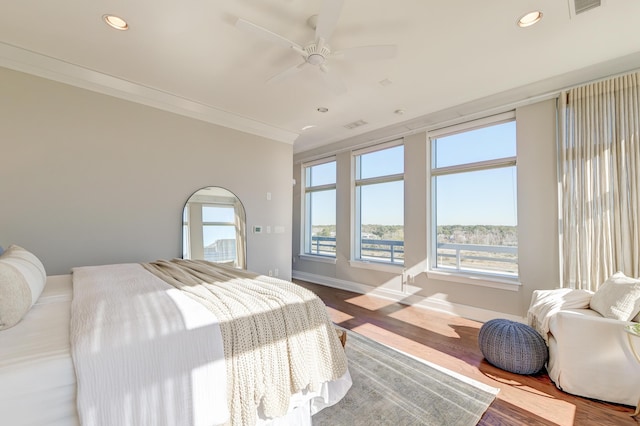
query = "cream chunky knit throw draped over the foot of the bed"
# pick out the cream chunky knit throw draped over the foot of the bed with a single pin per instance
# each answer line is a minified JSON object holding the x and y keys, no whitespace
{"x":278,"y":337}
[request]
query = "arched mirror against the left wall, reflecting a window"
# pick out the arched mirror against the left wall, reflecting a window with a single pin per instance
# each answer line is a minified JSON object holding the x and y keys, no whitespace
{"x":214,"y":227}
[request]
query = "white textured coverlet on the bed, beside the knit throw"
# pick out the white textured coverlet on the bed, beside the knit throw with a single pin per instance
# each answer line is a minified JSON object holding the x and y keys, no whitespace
{"x":149,"y":356}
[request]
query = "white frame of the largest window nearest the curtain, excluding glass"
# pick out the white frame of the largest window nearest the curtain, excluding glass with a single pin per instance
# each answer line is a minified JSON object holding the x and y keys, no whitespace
{"x":483,"y":278}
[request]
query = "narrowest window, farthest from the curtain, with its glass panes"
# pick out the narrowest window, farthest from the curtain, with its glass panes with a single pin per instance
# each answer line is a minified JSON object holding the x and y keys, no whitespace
{"x":319,"y":232}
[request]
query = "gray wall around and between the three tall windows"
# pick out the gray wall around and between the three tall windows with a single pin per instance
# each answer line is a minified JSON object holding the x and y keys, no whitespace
{"x":537,"y":224}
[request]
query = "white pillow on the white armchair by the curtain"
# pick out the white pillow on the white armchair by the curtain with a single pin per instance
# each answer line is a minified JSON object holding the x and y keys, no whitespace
{"x":618,"y":298}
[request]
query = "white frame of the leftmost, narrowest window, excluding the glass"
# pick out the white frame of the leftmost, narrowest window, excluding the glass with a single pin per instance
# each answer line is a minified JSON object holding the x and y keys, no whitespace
{"x":306,"y":238}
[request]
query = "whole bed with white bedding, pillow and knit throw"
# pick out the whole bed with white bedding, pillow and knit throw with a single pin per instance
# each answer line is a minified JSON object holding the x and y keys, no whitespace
{"x":117,"y":344}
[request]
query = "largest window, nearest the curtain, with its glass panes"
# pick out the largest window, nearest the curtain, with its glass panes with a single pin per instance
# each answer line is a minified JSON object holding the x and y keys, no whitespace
{"x":474,"y":198}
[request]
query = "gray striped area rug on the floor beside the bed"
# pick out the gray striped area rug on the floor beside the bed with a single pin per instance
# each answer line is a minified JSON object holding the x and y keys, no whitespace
{"x":391,"y":388}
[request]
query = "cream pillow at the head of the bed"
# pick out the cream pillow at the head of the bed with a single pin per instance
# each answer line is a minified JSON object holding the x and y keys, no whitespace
{"x":22,"y":278}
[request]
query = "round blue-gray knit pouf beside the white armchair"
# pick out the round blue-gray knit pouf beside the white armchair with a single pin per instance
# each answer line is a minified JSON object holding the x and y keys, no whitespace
{"x":512,"y":346}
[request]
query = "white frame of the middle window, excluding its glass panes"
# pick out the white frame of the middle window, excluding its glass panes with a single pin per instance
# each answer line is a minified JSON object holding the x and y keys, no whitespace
{"x":356,"y":258}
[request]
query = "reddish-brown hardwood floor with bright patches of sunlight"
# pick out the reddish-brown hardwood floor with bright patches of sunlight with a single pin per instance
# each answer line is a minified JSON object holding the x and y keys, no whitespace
{"x":452,"y":342}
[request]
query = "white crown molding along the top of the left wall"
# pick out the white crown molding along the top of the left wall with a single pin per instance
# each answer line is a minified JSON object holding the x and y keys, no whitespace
{"x":22,"y":60}
